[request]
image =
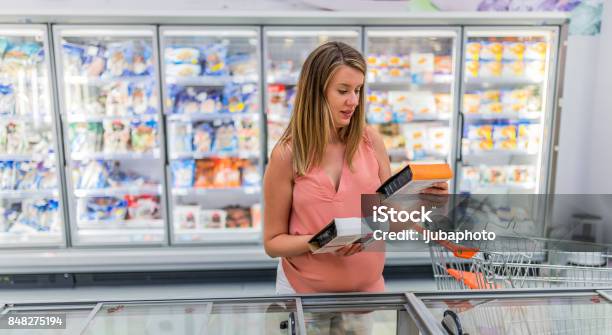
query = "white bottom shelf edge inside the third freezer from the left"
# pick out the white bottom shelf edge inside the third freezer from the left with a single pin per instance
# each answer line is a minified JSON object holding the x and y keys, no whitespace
{"x":186,"y":236}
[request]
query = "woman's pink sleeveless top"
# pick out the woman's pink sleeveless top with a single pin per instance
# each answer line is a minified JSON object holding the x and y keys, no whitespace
{"x":315,"y":204}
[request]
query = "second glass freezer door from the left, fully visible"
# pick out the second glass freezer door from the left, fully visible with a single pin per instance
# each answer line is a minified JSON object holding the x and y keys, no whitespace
{"x":111,"y":118}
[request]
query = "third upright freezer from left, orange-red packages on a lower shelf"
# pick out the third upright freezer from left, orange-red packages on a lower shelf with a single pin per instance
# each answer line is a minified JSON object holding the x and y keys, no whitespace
{"x":211,"y":79}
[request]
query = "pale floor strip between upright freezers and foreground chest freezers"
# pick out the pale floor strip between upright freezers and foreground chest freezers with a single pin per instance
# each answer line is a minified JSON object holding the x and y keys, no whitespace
{"x":174,"y":291}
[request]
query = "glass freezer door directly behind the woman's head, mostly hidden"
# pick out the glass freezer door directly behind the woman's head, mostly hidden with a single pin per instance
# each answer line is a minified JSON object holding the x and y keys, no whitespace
{"x":285,"y":50}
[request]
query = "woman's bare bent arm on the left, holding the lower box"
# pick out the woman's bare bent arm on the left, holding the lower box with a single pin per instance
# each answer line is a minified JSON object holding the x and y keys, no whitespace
{"x":278,"y":196}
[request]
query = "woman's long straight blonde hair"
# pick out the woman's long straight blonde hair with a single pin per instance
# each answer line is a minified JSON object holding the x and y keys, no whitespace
{"x":311,"y":122}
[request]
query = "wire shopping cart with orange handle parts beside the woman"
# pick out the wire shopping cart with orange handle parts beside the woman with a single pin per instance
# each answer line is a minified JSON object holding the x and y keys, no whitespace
{"x":515,"y":262}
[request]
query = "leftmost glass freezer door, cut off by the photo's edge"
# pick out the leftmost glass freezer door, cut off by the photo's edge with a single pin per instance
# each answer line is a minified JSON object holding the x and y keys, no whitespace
{"x":31,"y":210}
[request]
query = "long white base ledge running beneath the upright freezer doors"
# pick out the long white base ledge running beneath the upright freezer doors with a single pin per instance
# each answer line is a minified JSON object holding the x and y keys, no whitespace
{"x":105,"y":259}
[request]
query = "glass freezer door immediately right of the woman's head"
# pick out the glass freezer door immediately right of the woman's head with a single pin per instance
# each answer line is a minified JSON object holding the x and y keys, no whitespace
{"x":410,"y":87}
